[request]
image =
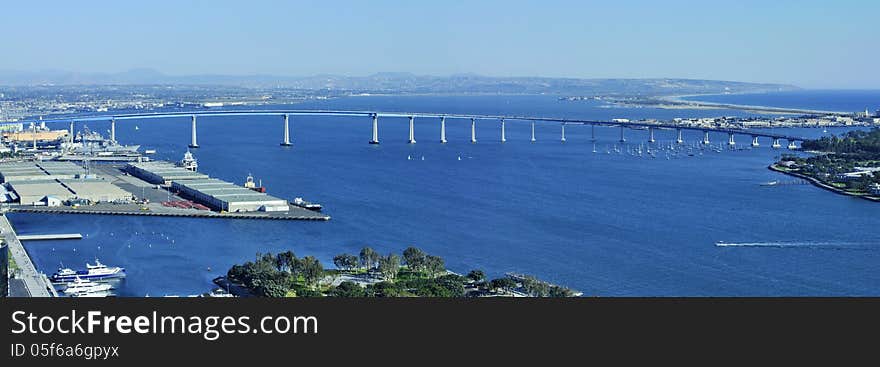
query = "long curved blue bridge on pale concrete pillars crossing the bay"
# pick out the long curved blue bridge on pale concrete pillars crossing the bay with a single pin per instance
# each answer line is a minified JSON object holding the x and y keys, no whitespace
{"x":442,"y":117}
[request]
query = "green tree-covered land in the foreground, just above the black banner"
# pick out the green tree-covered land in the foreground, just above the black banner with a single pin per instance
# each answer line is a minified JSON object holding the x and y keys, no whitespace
{"x":369,"y":274}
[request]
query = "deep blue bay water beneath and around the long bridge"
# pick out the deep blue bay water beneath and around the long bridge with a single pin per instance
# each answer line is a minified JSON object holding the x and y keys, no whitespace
{"x":605,"y":224}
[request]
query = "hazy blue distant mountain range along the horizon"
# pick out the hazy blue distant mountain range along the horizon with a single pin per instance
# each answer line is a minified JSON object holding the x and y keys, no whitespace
{"x":400,"y":83}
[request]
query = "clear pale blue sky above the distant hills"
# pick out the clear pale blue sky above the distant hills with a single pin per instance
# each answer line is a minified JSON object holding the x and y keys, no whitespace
{"x":813,"y":44}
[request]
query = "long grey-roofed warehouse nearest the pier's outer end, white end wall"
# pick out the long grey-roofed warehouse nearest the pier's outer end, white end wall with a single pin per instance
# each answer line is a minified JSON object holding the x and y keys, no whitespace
{"x":225,"y":196}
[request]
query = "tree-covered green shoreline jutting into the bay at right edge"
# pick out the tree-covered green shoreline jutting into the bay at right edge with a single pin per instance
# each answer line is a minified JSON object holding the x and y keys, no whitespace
{"x":846,"y":164}
